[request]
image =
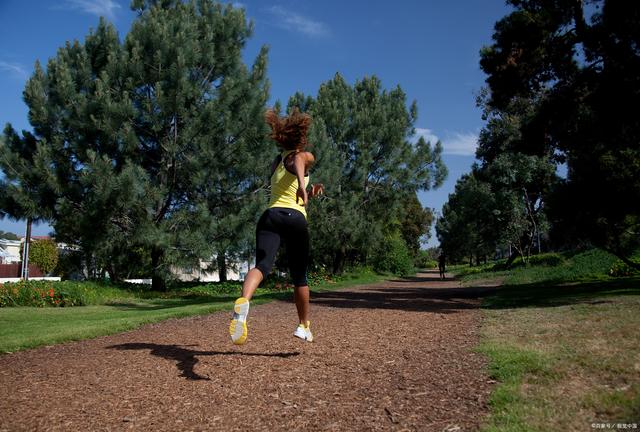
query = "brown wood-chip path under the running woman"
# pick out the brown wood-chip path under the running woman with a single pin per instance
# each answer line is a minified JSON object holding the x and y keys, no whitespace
{"x":389,"y":356}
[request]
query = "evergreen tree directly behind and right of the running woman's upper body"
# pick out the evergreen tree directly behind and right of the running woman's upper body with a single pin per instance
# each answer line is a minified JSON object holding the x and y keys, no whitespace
{"x":361,"y":136}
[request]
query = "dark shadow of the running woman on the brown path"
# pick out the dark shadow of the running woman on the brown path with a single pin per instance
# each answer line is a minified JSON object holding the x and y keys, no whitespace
{"x":186,"y":358}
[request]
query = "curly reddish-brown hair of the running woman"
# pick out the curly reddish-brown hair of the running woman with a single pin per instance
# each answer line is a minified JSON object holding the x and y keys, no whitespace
{"x":289,"y":132}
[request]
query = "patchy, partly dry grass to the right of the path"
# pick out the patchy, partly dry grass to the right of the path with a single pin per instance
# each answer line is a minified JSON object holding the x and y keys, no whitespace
{"x":564,"y":346}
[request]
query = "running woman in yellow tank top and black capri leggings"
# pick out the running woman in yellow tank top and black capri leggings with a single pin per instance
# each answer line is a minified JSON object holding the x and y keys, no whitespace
{"x":284,"y":220}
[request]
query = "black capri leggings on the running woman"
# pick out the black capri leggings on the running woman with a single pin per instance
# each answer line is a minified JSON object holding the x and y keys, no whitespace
{"x":276,"y":224}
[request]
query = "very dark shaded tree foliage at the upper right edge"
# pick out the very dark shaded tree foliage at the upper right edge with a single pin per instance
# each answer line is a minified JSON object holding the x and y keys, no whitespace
{"x":577,"y":68}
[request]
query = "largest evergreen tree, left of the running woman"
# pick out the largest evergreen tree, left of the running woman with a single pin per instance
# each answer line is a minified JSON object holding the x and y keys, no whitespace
{"x":147,"y":142}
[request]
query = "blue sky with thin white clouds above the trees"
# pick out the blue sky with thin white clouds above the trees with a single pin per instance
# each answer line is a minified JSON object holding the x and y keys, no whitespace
{"x":430,"y":48}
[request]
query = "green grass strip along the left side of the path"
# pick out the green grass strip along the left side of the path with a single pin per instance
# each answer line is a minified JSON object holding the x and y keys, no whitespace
{"x":29,"y":327}
